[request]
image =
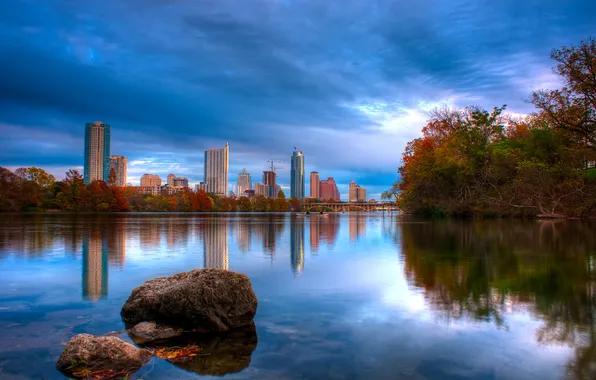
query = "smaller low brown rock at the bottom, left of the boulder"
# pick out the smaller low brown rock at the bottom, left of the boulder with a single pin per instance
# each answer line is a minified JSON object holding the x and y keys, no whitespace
{"x":87,"y":352}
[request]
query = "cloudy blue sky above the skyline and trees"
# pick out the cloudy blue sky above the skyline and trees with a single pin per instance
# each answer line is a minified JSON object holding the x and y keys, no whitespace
{"x":348,"y":82}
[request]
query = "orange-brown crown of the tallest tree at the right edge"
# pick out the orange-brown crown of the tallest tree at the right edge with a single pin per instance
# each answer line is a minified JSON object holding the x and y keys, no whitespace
{"x":573,"y":108}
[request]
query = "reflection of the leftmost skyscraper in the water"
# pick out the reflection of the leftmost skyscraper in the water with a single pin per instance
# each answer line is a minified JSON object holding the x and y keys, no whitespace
{"x":95,"y":266}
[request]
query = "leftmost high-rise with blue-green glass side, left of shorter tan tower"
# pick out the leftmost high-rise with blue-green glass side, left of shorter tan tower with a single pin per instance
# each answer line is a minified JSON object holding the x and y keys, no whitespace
{"x":97,"y":152}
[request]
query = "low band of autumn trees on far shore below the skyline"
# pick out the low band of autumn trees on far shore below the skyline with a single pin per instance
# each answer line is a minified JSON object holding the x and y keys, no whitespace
{"x":33,"y":189}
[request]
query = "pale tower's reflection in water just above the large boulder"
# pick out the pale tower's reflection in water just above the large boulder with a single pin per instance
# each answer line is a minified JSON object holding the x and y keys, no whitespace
{"x":215,"y":244}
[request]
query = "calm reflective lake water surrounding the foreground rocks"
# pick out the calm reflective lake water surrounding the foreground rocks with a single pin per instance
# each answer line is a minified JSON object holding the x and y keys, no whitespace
{"x":342,"y":297}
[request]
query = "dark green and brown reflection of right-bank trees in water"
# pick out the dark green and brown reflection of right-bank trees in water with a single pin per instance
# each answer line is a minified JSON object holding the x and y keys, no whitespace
{"x":483,"y":270}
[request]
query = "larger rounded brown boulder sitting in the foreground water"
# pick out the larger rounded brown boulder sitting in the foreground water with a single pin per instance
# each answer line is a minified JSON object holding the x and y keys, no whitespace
{"x":209,"y":299}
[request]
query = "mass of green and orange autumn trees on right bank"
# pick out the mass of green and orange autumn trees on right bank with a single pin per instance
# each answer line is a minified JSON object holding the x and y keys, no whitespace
{"x":474,"y":162}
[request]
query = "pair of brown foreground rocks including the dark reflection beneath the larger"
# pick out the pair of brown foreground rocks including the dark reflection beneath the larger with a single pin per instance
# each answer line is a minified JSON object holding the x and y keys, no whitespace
{"x":201,"y":321}
